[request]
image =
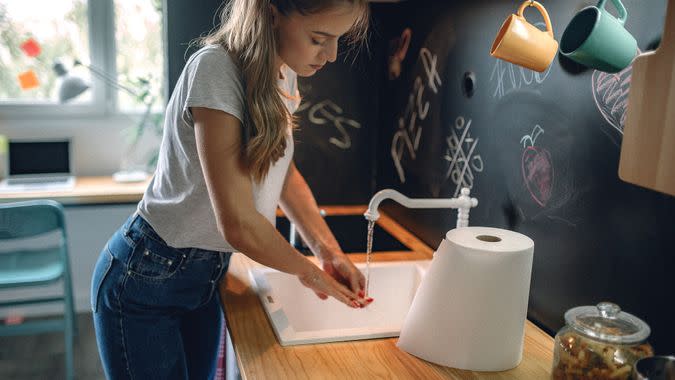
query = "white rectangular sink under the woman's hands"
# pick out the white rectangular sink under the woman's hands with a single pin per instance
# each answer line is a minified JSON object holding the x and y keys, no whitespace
{"x":298,"y":316}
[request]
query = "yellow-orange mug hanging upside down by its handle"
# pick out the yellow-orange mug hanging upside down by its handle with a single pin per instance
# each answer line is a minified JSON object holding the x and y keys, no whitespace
{"x":524,"y":44}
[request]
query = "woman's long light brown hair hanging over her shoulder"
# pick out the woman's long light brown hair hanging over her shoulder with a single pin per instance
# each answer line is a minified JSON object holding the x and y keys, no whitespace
{"x":246,"y":32}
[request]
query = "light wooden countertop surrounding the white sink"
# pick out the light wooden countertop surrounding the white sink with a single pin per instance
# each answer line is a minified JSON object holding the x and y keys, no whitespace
{"x":260,"y":356}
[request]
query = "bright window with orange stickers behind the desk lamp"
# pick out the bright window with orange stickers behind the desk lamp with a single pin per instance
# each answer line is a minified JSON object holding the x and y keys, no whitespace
{"x":117,"y":42}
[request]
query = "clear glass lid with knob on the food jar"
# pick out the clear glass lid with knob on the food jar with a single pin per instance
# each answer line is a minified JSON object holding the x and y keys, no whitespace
{"x":606,"y":322}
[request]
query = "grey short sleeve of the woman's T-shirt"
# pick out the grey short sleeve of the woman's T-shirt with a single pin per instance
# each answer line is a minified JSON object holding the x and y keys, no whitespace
{"x":213,"y":80}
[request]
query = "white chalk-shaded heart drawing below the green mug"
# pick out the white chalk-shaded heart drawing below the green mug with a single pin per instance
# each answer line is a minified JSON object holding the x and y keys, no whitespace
{"x":610,"y":92}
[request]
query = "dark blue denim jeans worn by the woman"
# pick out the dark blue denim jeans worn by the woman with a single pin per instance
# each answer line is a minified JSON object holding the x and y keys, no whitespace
{"x":156,"y":308}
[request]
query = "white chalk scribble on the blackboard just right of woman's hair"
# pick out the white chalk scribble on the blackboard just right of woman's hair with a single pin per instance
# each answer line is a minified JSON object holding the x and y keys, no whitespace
{"x":327,"y":112}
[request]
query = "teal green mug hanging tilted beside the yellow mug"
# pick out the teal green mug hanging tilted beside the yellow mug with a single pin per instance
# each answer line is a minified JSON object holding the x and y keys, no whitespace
{"x":598,"y":40}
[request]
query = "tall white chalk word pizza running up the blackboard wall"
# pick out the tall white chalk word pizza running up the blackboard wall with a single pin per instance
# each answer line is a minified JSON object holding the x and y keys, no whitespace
{"x":407,"y":137}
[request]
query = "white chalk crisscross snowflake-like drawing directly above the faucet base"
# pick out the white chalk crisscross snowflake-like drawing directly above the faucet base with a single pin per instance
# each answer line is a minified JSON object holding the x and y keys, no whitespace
{"x":460,"y":154}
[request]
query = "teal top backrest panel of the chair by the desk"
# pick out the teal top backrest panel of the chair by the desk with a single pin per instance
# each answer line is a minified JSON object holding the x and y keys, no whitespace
{"x":31,"y":218}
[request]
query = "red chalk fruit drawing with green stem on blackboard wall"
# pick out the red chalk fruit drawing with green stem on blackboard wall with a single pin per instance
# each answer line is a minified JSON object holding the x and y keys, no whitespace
{"x":537,"y":168}
